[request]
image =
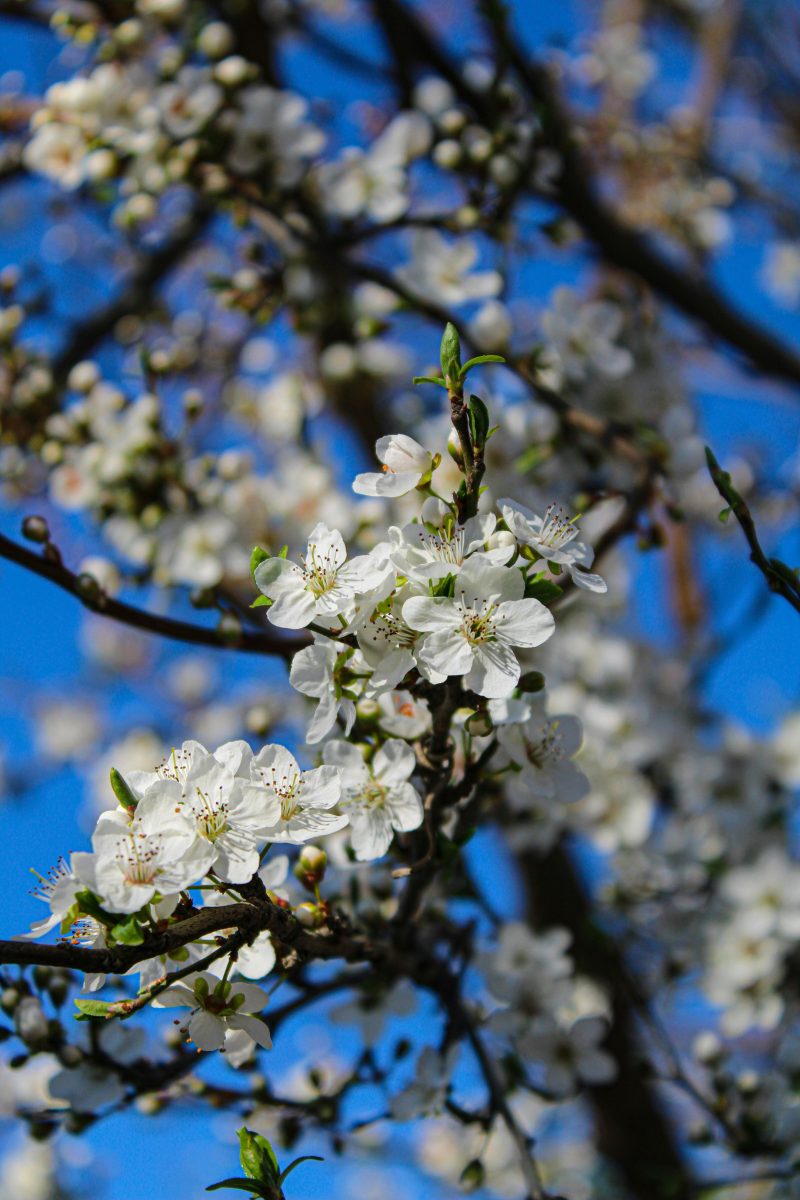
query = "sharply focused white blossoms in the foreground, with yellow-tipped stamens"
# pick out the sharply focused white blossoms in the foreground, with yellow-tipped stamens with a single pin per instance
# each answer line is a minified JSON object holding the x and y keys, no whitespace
{"x":435,"y":620}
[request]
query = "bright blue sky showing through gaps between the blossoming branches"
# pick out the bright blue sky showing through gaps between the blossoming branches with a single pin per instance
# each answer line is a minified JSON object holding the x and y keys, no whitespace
{"x":40,"y":627}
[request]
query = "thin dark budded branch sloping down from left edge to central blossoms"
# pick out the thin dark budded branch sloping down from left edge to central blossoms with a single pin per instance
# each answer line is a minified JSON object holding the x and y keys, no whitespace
{"x":151,"y":622}
